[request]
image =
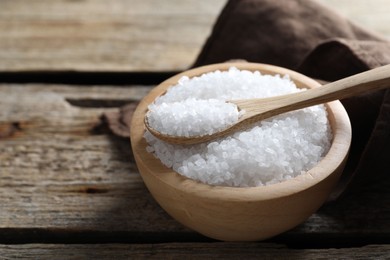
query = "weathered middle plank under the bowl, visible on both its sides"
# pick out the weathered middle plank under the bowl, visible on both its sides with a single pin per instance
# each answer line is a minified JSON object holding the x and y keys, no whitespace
{"x":64,"y":179}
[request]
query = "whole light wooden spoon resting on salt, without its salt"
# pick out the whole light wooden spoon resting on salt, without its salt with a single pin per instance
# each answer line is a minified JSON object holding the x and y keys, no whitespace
{"x":261,"y":108}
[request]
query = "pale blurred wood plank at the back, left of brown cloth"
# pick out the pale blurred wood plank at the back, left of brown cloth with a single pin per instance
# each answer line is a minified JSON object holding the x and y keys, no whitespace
{"x":103,"y":35}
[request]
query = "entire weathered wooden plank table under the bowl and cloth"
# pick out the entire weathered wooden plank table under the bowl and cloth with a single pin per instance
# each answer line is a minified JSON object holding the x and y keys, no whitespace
{"x":70,"y":189}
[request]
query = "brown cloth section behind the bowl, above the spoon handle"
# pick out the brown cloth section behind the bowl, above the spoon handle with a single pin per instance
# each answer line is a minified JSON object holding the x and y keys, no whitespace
{"x":288,"y":33}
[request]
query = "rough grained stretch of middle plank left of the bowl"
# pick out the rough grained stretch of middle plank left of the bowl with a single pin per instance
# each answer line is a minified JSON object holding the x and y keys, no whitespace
{"x":58,"y":171}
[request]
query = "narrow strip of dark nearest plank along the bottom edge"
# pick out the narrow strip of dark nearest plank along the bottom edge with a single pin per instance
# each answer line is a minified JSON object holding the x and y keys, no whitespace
{"x":188,"y":251}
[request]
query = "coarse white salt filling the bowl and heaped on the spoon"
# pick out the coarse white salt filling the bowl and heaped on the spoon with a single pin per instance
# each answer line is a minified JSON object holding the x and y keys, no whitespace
{"x":273,"y":150}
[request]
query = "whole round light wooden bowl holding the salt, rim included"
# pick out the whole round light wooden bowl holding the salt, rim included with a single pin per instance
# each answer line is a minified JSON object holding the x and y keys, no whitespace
{"x":236,"y":213}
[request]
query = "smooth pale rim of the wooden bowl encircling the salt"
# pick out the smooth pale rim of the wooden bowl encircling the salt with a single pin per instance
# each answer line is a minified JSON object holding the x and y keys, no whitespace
{"x":341,"y":130}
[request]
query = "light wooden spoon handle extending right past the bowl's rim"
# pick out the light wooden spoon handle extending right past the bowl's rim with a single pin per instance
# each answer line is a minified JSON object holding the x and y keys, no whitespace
{"x":257,"y":109}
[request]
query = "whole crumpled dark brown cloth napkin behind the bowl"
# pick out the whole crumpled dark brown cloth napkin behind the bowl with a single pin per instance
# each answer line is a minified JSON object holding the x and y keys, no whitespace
{"x":307,"y":37}
